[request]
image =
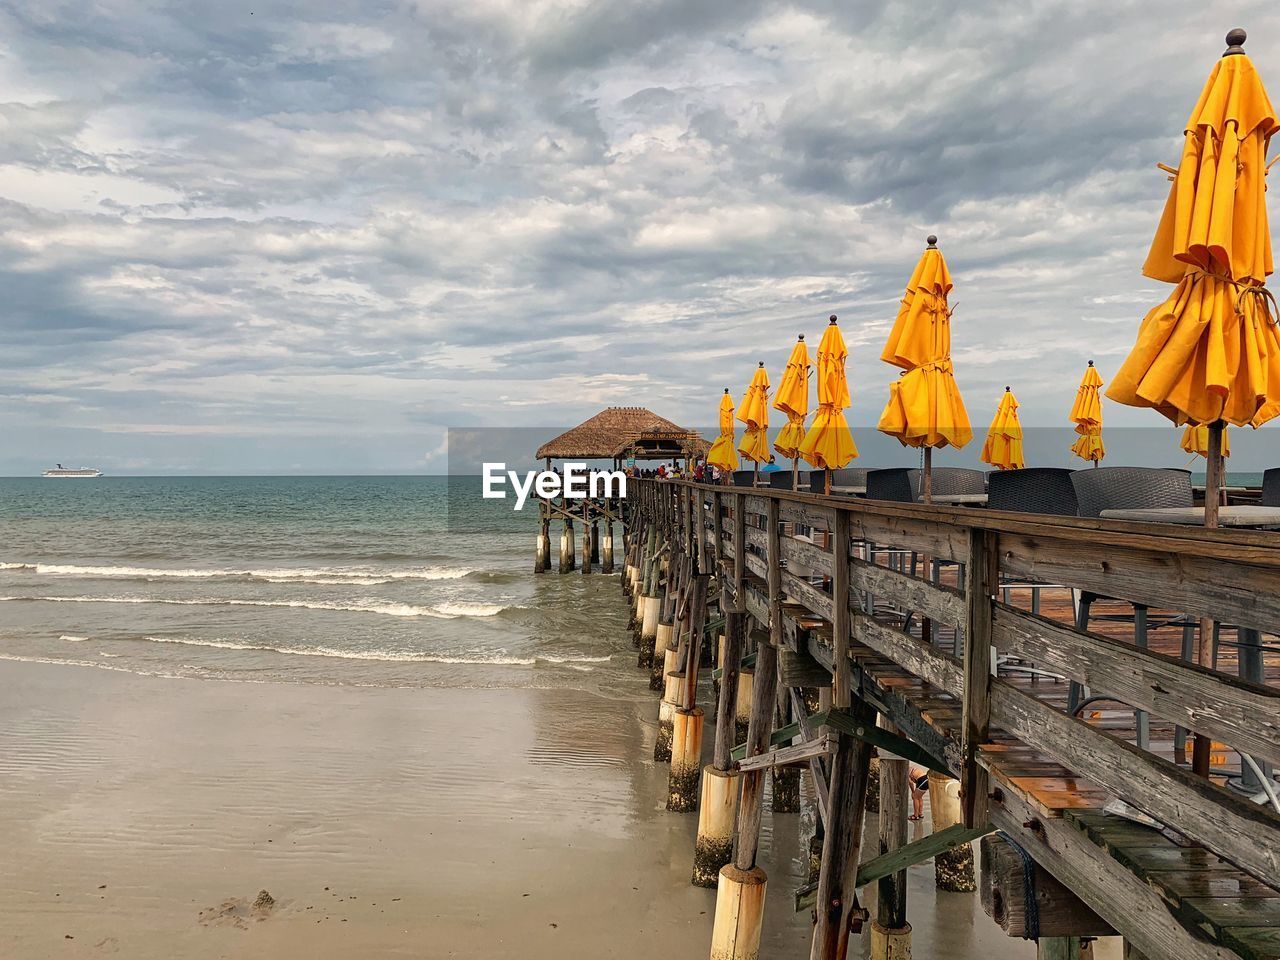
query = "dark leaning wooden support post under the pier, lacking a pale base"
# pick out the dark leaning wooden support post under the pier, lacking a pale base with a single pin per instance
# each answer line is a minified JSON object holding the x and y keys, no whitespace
{"x":838,"y":880}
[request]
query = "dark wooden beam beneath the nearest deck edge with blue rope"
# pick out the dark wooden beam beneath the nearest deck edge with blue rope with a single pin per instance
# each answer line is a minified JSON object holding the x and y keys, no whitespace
{"x":1057,"y":911}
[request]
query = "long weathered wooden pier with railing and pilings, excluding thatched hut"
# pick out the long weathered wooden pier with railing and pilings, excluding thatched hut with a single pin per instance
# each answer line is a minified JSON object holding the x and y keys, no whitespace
{"x":909,"y":632}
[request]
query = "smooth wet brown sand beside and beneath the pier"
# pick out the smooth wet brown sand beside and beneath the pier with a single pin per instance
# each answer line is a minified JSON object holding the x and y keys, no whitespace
{"x":145,"y":815}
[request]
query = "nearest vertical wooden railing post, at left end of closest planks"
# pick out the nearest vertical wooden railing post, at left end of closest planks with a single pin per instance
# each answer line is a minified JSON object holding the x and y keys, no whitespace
{"x":982,"y":584}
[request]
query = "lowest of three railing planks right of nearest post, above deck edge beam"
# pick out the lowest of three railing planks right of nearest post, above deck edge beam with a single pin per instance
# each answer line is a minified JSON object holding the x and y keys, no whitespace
{"x":1242,"y":833}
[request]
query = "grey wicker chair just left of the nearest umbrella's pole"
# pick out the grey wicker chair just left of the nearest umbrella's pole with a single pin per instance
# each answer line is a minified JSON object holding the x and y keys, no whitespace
{"x":1130,"y":488}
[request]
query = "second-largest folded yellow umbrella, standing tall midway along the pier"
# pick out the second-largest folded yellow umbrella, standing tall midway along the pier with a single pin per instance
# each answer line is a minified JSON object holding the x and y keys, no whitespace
{"x":925,"y":408}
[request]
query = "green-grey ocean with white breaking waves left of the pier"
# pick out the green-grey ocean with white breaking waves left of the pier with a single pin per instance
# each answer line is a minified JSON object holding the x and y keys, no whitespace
{"x":382,"y":582}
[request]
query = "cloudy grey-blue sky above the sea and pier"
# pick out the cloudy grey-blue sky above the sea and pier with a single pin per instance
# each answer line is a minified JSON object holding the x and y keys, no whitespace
{"x":313,"y":237}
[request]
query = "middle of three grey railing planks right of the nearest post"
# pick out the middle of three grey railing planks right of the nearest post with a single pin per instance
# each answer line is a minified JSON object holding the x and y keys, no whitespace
{"x":1232,"y":711}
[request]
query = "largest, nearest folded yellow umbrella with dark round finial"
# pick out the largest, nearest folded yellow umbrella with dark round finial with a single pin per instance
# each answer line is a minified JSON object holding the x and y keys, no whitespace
{"x":1212,"y":353}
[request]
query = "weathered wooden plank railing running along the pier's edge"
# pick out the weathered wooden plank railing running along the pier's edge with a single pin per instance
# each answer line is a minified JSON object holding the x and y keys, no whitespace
{"x":836,"y":580}
